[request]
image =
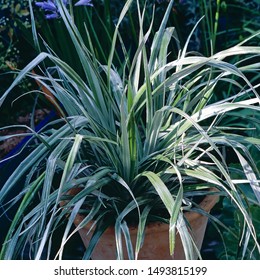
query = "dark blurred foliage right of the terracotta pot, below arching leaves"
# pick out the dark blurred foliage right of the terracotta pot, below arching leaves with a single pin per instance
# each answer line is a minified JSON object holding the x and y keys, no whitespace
{"x":226,"y":244}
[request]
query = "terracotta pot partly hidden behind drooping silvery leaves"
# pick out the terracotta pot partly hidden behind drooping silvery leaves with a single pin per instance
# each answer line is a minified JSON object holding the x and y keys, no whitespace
{"x":156,"y":241}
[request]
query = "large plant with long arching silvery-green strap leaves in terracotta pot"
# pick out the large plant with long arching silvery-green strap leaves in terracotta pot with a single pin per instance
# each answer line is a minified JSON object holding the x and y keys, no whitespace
{"x":136,"y":146}
